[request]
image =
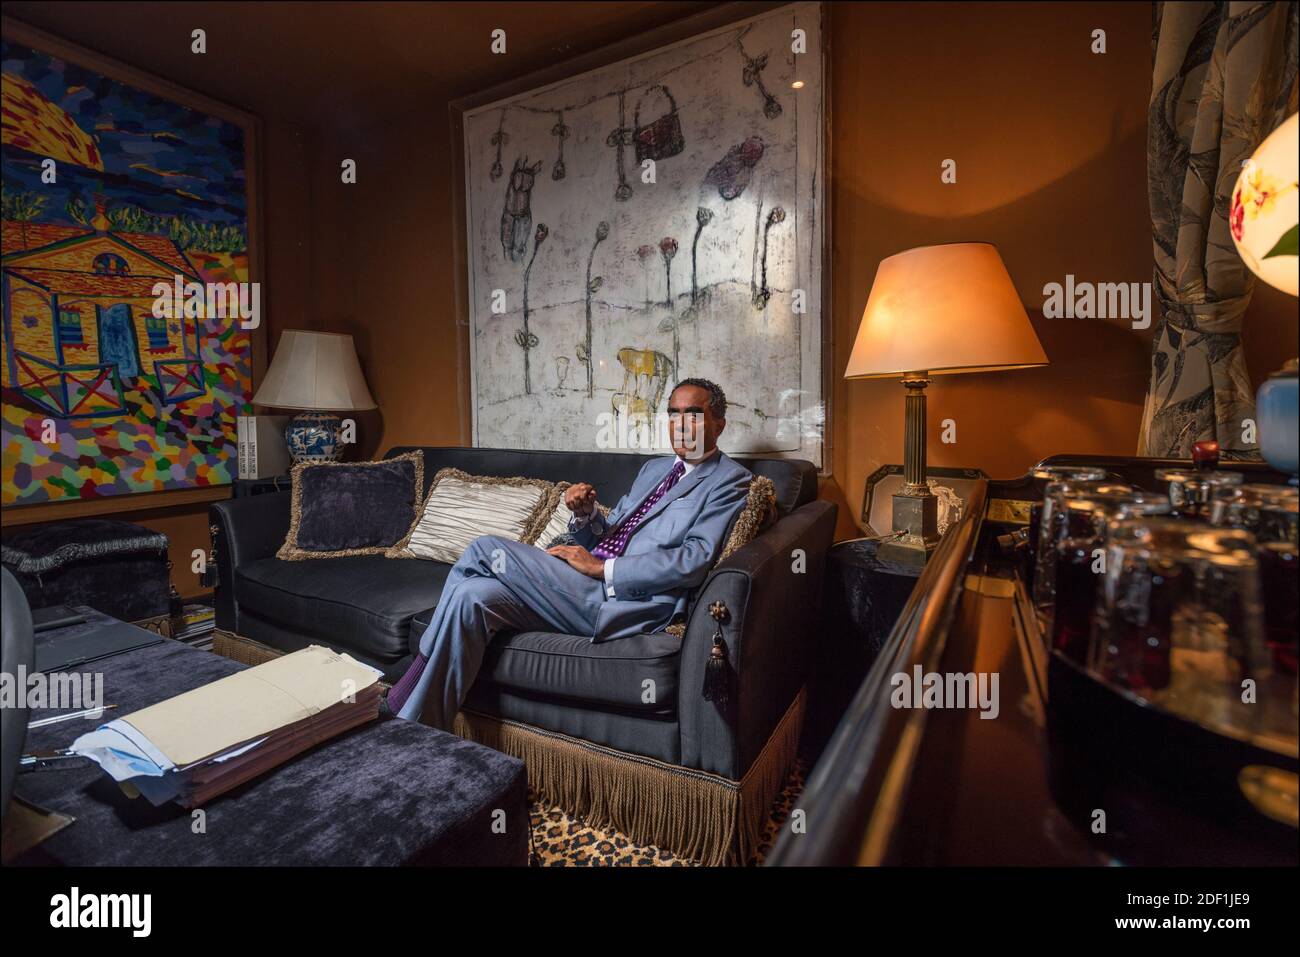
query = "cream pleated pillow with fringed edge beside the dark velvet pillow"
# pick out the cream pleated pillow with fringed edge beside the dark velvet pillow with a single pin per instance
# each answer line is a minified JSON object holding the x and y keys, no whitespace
{"x":461,"y":508}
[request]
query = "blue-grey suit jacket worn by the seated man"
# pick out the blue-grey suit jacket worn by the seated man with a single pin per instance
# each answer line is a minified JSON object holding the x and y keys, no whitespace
{"x":674,"y":548}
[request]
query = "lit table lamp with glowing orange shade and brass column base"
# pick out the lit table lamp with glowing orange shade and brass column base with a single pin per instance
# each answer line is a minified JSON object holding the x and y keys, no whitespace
{"x":935,"y":311}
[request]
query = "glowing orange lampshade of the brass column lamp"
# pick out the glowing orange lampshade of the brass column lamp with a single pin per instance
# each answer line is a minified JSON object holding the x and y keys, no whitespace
{"x":941,"y":310}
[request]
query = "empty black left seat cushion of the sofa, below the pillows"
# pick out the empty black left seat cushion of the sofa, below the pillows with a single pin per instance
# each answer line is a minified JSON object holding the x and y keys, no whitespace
{"x":363,"y":603}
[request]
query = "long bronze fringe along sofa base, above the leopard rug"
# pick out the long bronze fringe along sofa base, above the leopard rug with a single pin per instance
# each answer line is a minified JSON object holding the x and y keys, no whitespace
{"x":699,"y":816}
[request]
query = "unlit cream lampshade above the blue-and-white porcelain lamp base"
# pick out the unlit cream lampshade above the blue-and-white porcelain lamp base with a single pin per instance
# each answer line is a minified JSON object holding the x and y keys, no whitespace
{"x":317,"y":373}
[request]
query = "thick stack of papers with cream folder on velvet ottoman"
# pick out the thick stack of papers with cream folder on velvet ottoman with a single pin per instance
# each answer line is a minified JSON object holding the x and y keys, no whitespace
{"x":201,"y":744}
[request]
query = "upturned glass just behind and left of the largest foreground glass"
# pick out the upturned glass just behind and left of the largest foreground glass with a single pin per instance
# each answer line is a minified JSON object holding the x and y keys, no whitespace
{"x":1076,"y":557}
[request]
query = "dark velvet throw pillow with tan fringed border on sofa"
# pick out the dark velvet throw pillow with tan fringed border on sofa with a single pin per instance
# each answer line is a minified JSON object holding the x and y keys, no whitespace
{"x":352,"y":508}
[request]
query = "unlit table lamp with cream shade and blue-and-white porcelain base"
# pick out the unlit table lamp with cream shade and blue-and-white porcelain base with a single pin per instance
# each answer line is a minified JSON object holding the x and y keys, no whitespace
{"x":319,"y":375}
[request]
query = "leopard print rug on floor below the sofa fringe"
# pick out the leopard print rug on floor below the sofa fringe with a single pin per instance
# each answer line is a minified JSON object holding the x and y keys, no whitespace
{"x":562,"y":841}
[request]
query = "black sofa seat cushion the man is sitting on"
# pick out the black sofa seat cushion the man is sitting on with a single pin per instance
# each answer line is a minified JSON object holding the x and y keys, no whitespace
{"x":609,"y":674}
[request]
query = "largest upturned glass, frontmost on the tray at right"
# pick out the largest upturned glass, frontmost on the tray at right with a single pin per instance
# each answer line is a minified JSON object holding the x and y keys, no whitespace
{"x":1178,"y":625}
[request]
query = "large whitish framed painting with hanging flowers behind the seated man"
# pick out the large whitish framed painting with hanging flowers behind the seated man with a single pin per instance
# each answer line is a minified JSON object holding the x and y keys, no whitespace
{"x":653,"y":220}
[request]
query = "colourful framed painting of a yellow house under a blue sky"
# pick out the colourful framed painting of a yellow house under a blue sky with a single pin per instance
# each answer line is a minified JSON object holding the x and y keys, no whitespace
{"x":114,"y":184}
